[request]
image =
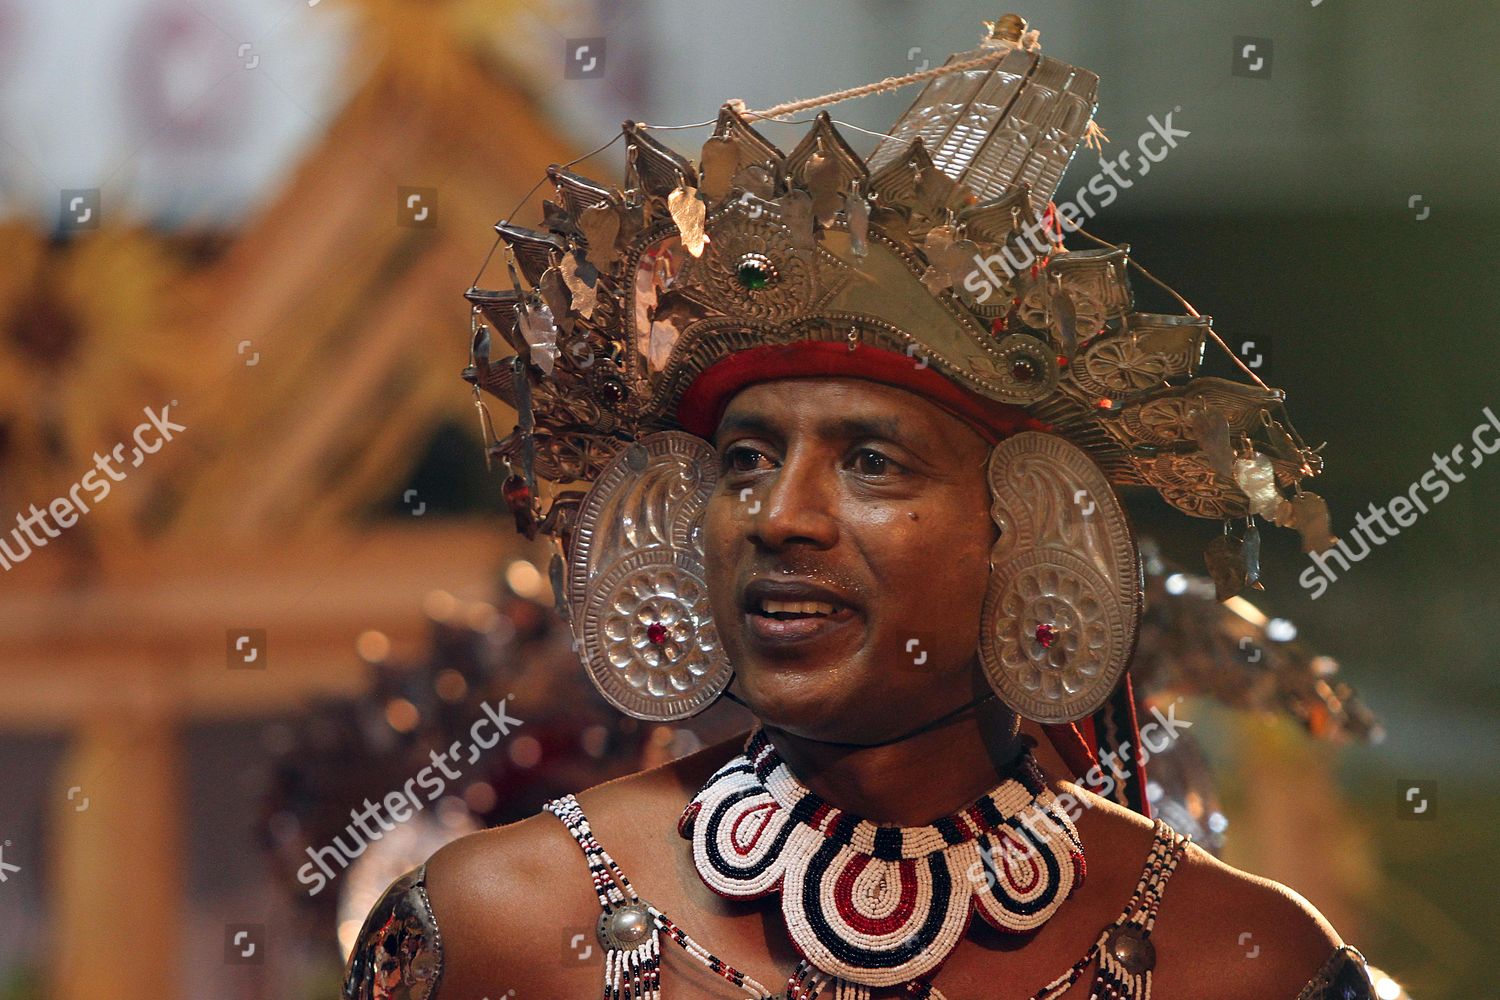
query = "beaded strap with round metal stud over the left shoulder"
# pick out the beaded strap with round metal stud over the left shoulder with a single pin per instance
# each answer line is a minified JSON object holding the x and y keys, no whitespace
{"x":631,"y":929}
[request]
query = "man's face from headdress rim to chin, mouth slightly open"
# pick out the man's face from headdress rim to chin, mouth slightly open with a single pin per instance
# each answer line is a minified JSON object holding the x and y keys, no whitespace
{"x":820,"y":482}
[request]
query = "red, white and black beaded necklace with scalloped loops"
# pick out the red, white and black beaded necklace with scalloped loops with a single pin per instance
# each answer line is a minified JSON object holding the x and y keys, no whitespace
{"x":880,"y":906}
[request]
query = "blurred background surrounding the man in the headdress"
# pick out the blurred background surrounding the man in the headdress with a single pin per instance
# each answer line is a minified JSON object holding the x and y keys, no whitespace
{"x":247,"y":226}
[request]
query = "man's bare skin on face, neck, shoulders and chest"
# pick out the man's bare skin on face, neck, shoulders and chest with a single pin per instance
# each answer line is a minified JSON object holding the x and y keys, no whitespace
{"x":838,"y":507}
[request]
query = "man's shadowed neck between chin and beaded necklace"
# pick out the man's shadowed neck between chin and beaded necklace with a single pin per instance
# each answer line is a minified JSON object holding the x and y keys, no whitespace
{"x":913,"y":782}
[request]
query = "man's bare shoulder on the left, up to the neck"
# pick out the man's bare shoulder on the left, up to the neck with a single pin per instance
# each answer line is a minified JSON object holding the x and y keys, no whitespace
{"x":512,"y":902}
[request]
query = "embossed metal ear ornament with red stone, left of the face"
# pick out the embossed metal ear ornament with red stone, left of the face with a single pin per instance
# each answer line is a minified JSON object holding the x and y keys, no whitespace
{"x":637,"y":581}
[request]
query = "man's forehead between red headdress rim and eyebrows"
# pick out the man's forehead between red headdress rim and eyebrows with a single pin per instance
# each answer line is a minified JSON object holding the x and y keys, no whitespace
{"x":829,"y":407}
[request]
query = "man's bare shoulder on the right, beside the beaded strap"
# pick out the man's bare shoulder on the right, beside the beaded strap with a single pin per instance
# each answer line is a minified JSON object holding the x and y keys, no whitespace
{"x":1247,"y":935}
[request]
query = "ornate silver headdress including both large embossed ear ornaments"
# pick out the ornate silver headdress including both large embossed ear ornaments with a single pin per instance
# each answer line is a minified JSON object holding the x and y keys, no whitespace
{"x":928,"y":251}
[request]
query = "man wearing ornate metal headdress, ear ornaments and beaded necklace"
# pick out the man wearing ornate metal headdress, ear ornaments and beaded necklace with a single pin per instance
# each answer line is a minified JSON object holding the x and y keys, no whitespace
{"x":889,"y":531}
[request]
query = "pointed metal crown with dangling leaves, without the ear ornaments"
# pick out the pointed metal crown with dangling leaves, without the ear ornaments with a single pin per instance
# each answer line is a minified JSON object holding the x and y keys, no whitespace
{"x":928,"y":248}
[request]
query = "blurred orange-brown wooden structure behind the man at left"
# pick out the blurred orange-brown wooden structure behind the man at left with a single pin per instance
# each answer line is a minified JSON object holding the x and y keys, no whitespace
{"x":311,"y":361}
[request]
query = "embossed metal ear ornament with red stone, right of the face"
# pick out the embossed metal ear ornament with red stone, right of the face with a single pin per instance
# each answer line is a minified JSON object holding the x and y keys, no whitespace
{"x":1064,"y":599}
